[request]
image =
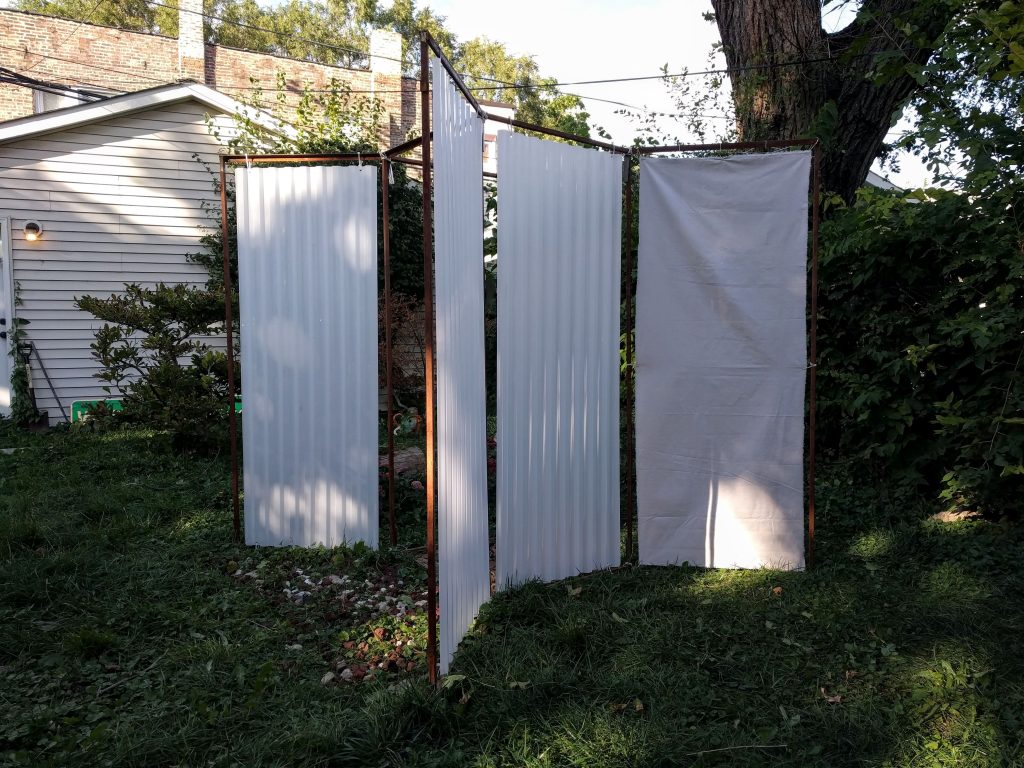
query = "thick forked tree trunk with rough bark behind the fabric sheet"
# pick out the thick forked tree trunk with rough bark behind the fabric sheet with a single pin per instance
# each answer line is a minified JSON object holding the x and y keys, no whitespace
{"x":832,"y":94}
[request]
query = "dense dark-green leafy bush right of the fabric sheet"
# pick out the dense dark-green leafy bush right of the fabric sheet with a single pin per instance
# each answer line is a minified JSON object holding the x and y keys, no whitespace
{"x":921,"y":342}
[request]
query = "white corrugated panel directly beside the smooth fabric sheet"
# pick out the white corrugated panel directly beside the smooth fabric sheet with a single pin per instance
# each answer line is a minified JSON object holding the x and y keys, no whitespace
{"x":560,"y":221}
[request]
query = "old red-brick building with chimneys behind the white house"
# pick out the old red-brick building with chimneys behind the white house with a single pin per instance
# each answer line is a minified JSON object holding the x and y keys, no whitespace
{"x":105,"y":60}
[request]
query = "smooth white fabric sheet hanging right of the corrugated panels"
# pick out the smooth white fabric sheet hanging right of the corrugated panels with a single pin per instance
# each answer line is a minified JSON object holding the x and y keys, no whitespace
{"x":721,"y":361}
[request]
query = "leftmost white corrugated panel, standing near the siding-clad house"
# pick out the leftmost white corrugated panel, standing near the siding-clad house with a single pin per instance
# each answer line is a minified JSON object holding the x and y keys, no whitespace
{"x":308,"y":284}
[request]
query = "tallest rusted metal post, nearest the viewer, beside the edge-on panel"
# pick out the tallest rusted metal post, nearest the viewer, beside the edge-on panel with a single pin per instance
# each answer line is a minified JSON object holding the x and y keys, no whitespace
{"x":429,"y":357}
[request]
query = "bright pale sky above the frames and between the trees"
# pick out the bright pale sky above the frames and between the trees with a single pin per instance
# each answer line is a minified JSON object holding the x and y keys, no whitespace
{"x":603,"y":39}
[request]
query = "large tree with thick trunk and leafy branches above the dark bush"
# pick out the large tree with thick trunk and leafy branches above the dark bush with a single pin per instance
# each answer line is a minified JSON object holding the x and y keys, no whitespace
{"x":957,"y":63}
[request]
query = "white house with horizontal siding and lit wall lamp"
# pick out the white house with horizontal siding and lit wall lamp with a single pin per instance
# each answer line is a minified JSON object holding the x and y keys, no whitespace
{"x":119,"y":193}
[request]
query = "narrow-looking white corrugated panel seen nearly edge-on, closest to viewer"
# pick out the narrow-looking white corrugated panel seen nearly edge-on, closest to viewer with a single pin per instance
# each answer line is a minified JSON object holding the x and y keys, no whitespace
{"x":462,"y":460}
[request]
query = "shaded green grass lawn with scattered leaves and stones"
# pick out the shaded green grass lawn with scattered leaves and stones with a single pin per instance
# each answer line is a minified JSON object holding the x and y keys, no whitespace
{"x":134,"y":633}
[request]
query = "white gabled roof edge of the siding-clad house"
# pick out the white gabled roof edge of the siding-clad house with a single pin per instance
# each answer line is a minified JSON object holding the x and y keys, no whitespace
{"x":72,"y":117}
